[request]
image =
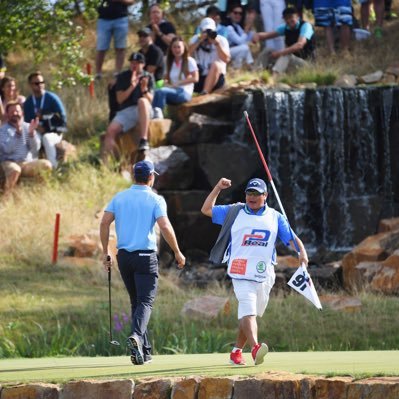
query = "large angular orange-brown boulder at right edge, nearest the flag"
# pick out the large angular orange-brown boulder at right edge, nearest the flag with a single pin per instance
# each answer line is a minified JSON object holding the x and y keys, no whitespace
{"x":374,"y":248}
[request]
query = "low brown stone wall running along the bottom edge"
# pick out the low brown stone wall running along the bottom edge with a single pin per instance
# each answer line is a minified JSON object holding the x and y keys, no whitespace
{"x":266,"y":386}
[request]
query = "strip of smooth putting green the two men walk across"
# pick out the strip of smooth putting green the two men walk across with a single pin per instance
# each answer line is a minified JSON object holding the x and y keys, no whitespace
{"x":215,"y":364}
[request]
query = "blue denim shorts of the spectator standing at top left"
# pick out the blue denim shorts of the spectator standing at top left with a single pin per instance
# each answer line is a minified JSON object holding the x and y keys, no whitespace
{"x":106,"y":28}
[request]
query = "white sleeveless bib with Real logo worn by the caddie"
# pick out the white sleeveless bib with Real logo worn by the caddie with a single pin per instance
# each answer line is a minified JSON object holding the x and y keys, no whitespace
{"x":252,"y":246}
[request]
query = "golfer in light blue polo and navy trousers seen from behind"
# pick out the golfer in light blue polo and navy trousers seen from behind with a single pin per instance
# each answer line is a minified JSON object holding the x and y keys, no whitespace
{"x":135,"y":212}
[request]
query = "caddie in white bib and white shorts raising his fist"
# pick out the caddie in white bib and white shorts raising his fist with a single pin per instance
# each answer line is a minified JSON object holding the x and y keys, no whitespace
{"x":247,"y":242}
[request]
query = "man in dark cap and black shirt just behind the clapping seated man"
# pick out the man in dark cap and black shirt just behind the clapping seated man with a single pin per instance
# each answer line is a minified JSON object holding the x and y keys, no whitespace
{"x":154,"y":59}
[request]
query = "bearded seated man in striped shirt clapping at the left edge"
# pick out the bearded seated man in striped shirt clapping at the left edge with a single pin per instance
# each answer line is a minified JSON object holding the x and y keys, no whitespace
{"x":19,"y":146}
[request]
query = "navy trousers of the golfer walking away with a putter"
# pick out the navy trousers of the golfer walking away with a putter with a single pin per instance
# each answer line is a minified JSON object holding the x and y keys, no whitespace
{"x":139,"y":271}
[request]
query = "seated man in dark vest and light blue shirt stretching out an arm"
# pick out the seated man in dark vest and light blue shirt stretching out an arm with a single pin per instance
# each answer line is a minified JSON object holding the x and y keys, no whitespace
{"x":299,"y":43}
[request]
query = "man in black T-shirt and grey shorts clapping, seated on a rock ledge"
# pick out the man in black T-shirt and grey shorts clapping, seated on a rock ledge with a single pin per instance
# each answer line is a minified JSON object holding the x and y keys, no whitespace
{"x":134,"y":94}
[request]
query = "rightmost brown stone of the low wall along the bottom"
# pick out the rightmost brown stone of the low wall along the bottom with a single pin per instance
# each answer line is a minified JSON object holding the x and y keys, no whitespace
{"x":376,"y":387}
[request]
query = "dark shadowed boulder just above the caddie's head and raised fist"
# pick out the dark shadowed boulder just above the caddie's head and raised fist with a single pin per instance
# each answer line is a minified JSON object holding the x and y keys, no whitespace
{"x":210,"y":156}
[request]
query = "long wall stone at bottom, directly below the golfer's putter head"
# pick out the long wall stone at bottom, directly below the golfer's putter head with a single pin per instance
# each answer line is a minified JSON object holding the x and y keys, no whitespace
{"x":97,"y":389}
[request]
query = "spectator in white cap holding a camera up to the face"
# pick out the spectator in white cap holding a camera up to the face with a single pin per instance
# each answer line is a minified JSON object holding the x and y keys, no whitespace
{"x":212,"y":53}
